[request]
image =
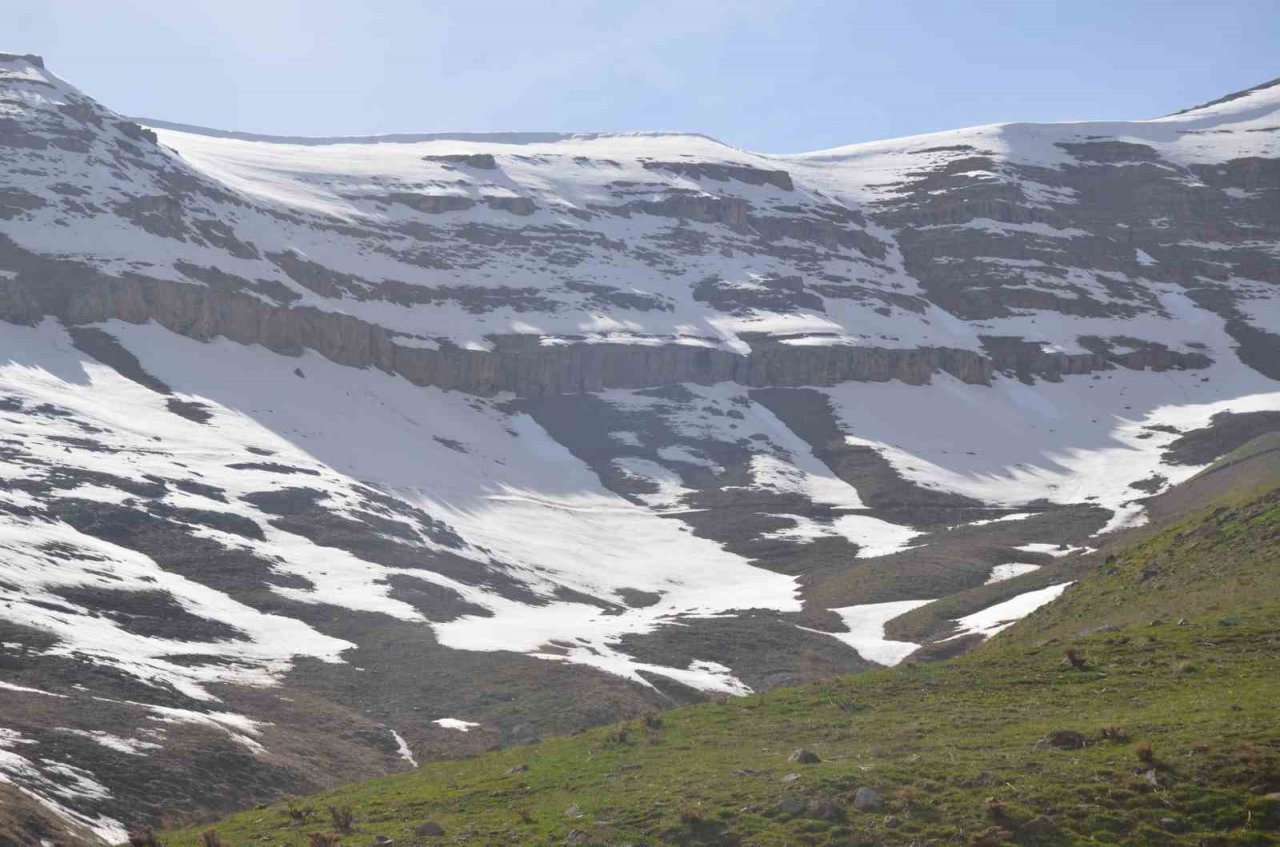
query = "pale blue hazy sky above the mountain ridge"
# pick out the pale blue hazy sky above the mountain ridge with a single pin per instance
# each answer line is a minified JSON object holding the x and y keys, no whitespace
{"x":771,"y":76}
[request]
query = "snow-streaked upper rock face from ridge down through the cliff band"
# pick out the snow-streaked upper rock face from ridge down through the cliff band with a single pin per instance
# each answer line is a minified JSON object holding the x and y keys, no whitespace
{"x":739,"y":264}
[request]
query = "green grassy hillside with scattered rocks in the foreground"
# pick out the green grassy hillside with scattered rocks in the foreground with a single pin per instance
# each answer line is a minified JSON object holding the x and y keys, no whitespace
{"x":1165,"y":731}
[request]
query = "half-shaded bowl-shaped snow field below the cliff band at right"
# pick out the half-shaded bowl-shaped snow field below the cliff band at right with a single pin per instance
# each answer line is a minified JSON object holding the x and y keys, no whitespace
{"x":1086,"y":439}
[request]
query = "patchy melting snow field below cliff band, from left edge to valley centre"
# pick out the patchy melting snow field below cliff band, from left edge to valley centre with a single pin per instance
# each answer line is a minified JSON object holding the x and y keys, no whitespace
{"x":515,"y":497}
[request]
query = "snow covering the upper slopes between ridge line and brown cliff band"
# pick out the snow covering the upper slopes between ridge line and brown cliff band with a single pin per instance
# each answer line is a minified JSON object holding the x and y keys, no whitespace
{"x":321,"y":182}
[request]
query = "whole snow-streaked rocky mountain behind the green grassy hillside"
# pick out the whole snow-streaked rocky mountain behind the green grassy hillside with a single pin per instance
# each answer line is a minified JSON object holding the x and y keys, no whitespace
{"x":323,"y":459}
